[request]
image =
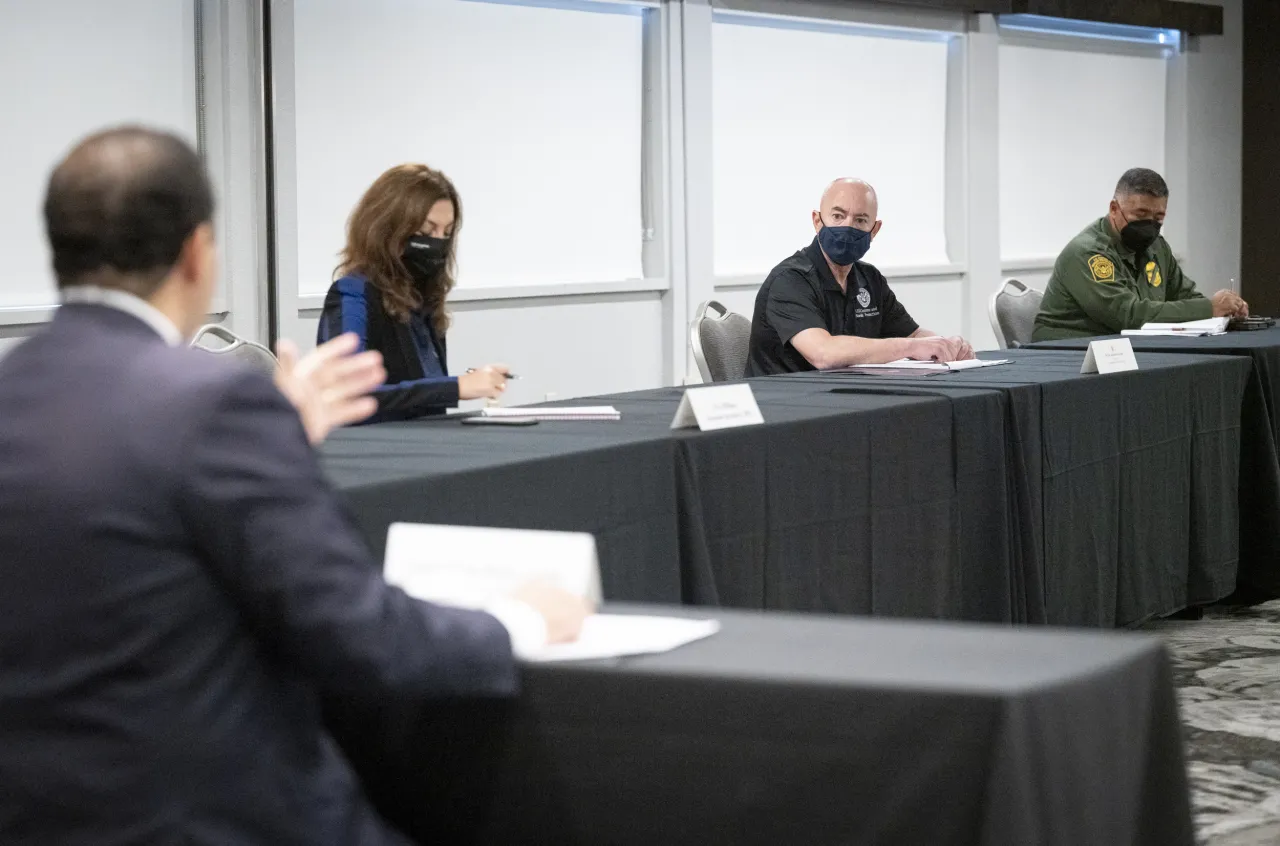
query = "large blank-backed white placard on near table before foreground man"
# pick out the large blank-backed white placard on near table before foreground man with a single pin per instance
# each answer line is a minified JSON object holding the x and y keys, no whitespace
{"x":472,"y":566}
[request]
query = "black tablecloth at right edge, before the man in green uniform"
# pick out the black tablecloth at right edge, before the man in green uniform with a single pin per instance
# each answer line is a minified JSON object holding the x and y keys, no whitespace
{"x":1260,"y":442}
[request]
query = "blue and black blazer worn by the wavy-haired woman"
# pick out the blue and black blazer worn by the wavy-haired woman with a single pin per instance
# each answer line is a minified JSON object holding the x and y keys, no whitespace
{"x":417,"y":358}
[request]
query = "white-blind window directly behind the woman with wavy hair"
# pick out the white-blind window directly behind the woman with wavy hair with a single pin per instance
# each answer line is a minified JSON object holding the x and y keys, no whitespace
{"x":533,"y":112}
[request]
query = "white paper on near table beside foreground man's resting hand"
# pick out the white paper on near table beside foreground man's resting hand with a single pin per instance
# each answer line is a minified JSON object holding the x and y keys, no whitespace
{"x":620,"y":635}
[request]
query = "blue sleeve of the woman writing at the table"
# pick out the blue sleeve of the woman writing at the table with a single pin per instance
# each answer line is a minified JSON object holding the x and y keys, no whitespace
{"x":346,"y":309}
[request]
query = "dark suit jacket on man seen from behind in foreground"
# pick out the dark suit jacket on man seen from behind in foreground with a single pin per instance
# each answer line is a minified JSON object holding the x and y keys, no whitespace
{"x":179,"y":588}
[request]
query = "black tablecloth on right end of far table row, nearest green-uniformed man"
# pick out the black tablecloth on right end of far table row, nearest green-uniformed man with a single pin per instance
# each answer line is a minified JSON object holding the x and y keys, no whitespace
{"x":1128,"y":482}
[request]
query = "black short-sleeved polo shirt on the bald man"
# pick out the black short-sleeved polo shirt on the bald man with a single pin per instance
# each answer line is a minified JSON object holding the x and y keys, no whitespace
{"x":801,"y":294}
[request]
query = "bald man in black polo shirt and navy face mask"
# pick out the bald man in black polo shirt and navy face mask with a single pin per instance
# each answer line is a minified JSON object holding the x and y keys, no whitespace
{"x":825,"y":309}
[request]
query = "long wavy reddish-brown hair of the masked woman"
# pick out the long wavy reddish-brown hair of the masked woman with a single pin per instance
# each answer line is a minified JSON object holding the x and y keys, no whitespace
{"x":380,"y":228}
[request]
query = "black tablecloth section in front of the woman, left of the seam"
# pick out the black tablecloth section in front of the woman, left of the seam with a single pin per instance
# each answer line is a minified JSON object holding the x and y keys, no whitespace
{"x":600,"y":478}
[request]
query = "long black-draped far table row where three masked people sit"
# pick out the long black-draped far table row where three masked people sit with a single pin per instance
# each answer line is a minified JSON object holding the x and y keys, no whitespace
{"x":1018,"y":493}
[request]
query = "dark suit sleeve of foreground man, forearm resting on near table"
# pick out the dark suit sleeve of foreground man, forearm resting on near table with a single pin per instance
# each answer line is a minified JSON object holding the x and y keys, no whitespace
{"x":273,"y":534}
